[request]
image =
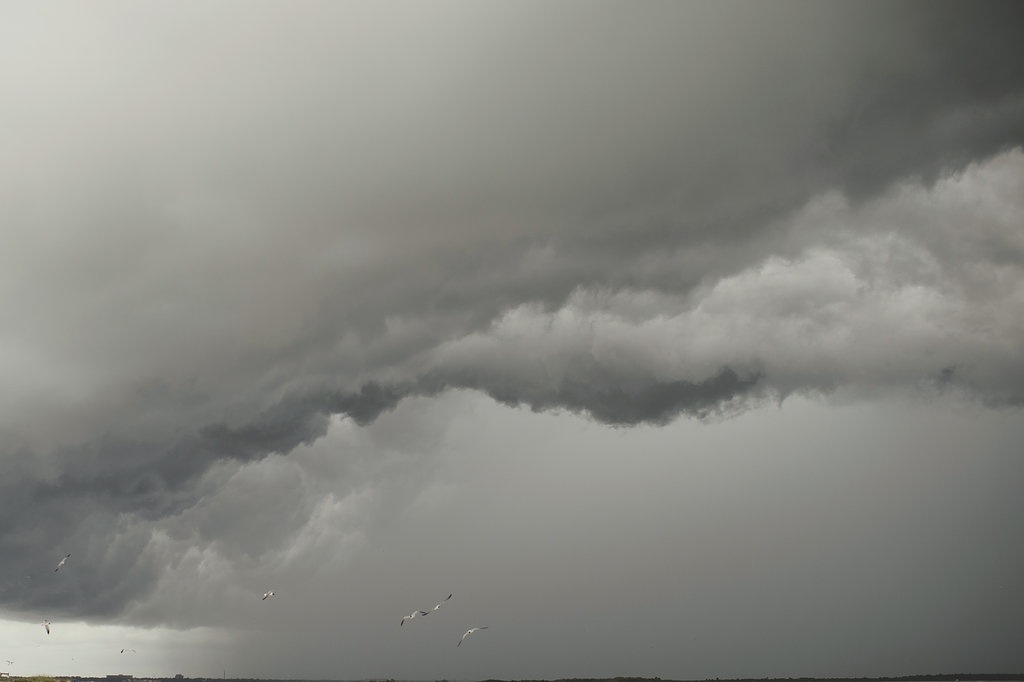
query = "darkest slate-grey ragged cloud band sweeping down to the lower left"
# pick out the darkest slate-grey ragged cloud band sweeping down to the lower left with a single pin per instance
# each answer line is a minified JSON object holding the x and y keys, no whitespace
{"x":151,"y":485}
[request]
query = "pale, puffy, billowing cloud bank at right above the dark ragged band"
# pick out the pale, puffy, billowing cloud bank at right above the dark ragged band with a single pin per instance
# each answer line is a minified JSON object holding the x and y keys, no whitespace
{"x":879,"y":296}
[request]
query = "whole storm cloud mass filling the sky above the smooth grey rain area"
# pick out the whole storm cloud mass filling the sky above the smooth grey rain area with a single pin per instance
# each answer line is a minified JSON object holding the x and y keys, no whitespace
{"x":230,"y":228}
